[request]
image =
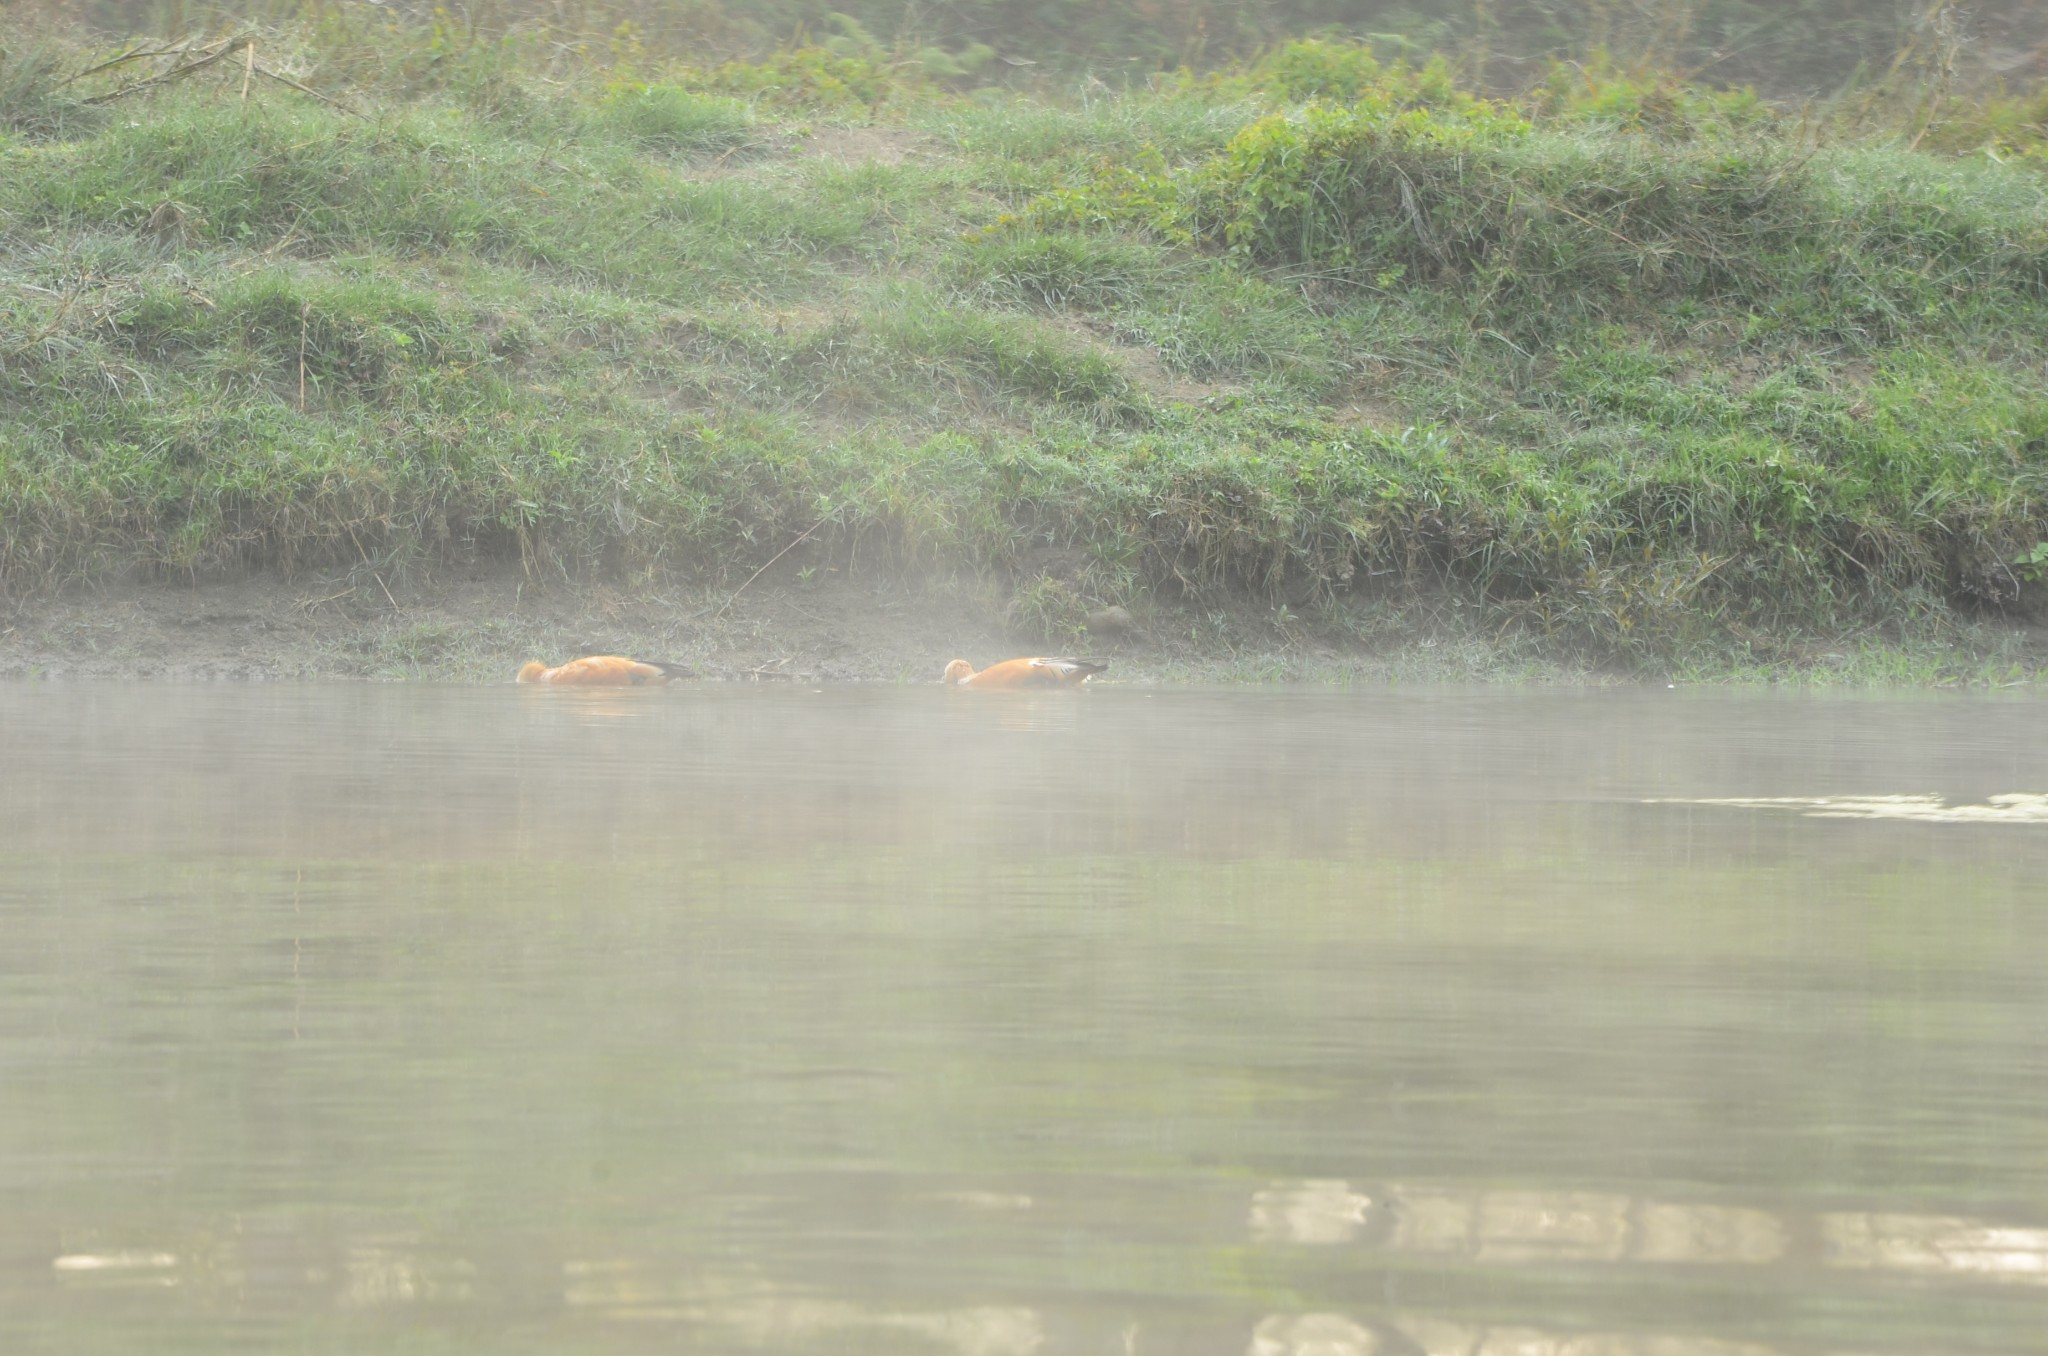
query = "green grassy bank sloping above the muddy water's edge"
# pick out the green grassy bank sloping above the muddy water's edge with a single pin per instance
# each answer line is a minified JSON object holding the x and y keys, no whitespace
{"x":1635,"y":374}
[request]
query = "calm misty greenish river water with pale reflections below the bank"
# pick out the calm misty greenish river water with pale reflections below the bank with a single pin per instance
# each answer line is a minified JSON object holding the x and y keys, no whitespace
{"x":497,"y":1021}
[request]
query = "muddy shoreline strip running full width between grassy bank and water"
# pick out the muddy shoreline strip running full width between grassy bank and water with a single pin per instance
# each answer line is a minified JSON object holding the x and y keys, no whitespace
{"x":480,"y":626}
